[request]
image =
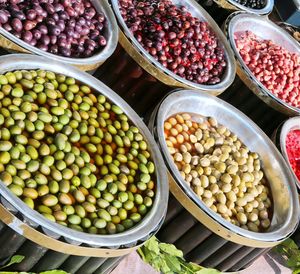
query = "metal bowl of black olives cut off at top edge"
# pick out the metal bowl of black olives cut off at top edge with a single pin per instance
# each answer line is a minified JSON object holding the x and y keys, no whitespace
{"x":233,"y":5}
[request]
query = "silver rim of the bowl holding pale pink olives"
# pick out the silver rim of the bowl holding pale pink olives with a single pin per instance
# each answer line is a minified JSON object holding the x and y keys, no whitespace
{"x":233,"y":19}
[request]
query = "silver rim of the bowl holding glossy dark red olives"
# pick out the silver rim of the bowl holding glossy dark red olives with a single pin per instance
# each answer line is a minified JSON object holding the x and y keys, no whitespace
{"x":194,"y":7}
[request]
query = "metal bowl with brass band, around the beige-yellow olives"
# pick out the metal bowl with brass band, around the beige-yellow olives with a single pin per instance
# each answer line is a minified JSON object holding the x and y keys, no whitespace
{"x":280,"y":177}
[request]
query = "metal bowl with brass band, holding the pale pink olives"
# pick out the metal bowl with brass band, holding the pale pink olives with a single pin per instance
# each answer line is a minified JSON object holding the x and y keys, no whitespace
{"x":264,"y":28}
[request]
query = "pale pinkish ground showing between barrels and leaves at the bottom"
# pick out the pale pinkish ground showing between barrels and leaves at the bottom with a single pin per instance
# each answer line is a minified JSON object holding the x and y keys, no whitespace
{"x":264,"y":265}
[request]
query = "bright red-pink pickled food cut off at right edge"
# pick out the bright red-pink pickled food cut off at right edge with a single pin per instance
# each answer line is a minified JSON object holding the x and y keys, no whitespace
{"x":293,"y":150}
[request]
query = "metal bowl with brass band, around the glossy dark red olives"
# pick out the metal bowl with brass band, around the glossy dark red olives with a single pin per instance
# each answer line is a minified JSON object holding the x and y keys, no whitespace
{"x":144,"y":59}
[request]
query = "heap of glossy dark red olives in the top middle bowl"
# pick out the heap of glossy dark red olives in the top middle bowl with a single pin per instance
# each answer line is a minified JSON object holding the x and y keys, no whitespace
{"x":180,"y":42}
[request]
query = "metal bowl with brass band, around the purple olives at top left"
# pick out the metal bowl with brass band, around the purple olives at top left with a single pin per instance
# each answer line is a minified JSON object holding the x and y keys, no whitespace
{"x":14,"y":44}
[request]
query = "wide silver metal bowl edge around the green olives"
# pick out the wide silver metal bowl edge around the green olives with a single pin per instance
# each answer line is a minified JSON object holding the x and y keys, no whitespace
{"x":154,"y":217}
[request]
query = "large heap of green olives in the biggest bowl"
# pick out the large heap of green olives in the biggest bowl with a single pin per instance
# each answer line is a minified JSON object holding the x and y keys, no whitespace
{"x":71,"y":154}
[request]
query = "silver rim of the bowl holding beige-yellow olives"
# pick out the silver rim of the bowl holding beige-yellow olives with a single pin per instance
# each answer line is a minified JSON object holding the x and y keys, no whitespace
{"x":277,"y":235}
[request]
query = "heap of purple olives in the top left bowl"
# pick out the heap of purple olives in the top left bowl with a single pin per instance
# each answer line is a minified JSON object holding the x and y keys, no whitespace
{"x":67,"y":28}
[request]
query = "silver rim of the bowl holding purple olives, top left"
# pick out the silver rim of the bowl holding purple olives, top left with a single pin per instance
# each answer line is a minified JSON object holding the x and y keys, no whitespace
{"x":98,"y":57}
